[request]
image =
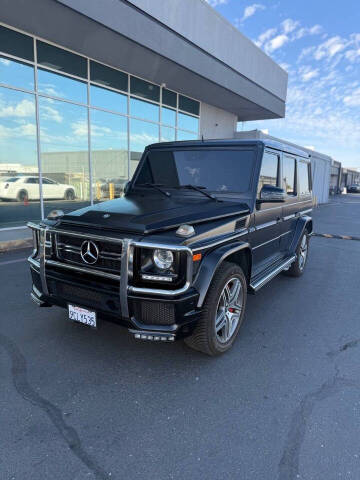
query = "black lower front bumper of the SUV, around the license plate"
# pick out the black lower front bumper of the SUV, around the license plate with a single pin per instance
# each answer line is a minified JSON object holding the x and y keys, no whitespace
{"x":148,"y":317}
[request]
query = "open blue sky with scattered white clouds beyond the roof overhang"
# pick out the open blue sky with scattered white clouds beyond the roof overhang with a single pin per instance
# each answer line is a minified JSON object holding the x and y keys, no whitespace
{"x":318,"y":43}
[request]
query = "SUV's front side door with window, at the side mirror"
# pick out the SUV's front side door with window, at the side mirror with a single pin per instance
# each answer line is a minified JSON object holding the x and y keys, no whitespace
{"x":265,"y":239}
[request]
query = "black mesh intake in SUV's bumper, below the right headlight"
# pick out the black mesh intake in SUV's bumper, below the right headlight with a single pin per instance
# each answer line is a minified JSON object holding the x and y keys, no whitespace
{"x":154,"y":313}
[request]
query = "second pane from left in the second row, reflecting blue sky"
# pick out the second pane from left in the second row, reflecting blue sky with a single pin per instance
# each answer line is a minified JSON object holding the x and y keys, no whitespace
{"x":60,"y":86}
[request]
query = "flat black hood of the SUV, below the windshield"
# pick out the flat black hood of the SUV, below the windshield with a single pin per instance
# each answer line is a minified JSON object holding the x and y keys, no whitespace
{"x":143,"y":215}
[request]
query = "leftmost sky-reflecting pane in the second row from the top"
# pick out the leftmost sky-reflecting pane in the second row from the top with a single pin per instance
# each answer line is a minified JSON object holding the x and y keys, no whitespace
{"x":16,"y":74}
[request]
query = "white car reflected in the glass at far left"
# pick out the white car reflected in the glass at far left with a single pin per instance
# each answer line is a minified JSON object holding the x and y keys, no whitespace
{"x":21,"y":188}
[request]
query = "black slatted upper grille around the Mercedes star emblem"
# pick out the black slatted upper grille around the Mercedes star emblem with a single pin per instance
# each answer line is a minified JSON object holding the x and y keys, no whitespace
{"x":68,"y":250}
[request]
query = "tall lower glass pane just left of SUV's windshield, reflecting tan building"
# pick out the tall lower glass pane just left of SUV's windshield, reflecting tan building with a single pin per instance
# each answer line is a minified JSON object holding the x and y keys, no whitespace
{"x":109,"y":154}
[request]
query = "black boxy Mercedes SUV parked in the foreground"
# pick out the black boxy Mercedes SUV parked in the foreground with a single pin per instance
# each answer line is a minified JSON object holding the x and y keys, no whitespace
{"x":201,"y":224}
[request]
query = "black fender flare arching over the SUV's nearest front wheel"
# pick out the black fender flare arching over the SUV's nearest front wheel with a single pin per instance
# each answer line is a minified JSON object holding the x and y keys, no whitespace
{"x":211,"y":263}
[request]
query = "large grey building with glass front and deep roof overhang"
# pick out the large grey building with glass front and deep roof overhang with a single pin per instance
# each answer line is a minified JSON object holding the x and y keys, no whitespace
{"x":86,"y":85}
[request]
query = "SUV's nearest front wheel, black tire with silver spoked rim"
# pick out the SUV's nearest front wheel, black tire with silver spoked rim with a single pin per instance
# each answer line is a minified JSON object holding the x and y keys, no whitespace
{"x":208,"y":337}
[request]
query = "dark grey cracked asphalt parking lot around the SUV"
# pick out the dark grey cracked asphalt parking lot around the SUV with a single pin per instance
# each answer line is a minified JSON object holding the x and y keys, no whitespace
{"x":283,"y":404}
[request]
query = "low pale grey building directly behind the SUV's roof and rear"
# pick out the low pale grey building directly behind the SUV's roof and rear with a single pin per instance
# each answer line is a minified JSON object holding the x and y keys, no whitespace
{"x":320,"y":165}
